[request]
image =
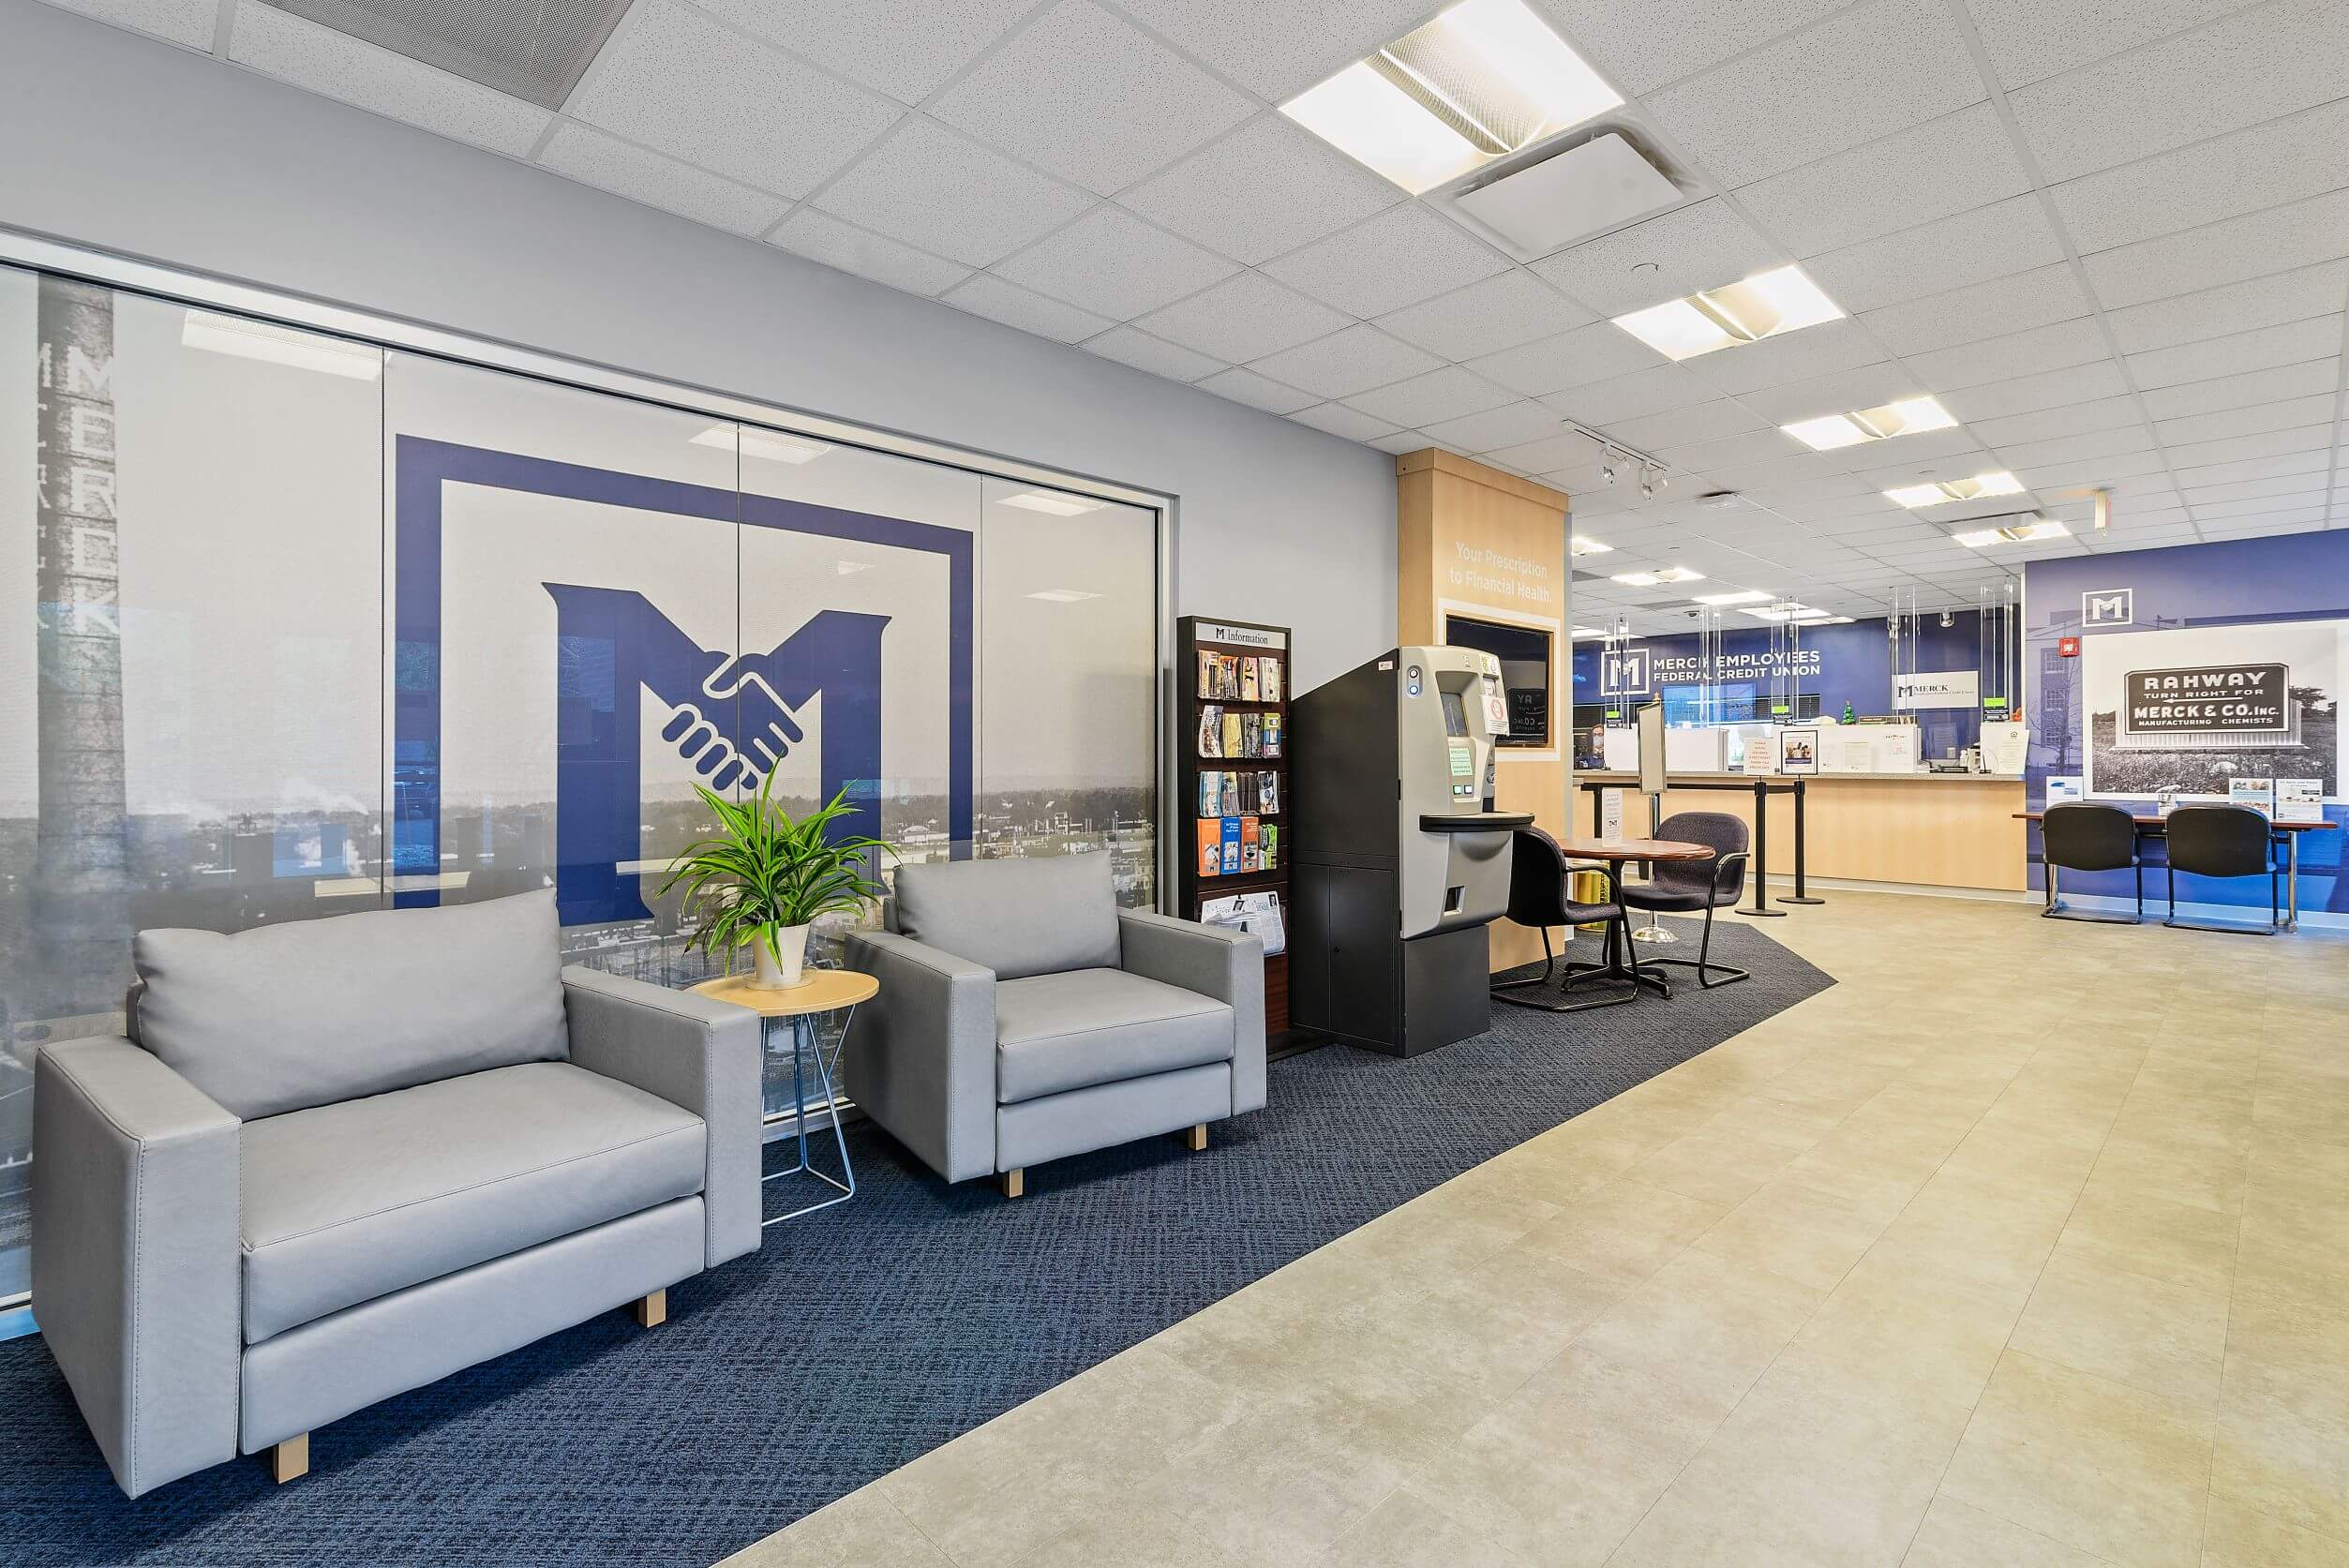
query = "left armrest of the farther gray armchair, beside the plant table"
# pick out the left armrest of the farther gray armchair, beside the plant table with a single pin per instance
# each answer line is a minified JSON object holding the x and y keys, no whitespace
{"x":922,"y":1055}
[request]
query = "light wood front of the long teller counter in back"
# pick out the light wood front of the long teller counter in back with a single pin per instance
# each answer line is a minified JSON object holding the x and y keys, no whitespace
{"x":1916,"y":830}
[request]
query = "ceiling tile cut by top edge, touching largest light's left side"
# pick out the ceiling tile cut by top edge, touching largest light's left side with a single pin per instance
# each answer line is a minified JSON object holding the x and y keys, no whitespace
{"x":1279,"y":50}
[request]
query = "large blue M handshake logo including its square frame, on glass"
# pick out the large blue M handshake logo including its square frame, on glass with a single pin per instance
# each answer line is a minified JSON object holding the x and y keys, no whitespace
{"x":736,"y":715}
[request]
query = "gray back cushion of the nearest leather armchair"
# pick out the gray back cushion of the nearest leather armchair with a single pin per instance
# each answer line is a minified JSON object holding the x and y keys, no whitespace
{"x":309,"y":1013}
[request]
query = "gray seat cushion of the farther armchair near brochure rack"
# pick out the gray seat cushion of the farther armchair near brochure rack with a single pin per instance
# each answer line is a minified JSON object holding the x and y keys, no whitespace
{"x":1101,"y":1027}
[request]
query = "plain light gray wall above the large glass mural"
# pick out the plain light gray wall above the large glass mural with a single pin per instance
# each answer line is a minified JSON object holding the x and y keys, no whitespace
{"x":149,"y":151}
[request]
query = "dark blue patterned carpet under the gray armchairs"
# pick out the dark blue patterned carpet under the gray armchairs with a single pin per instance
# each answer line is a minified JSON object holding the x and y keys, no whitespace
{"x":866,"y":1334}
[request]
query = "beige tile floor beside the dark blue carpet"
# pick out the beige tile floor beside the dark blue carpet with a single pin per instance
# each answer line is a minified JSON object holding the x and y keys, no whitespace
{"x":2024,"y":1248}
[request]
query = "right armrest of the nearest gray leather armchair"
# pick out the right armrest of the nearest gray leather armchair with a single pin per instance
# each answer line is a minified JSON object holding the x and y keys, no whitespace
{"x":699,"y":1055}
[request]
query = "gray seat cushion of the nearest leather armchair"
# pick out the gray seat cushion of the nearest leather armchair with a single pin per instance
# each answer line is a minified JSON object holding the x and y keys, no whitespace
{"x":363,"y":1198}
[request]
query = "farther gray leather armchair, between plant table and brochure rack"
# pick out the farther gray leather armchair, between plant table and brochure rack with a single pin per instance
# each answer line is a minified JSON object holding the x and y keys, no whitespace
{"x":1025,"y":1018}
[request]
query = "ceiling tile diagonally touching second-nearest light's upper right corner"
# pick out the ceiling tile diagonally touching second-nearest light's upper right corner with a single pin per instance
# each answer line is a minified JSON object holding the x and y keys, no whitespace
{"x":1913,"y":177}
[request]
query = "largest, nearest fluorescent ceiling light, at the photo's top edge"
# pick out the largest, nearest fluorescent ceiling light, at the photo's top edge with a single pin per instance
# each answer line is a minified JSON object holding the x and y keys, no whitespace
{"x":1479,"y":83}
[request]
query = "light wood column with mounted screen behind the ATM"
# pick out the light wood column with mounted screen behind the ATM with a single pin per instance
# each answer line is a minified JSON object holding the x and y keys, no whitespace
{"x":1481,"y":543}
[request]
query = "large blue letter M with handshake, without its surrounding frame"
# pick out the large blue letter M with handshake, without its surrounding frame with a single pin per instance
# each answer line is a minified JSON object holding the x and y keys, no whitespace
{"x":736,"y":717}
